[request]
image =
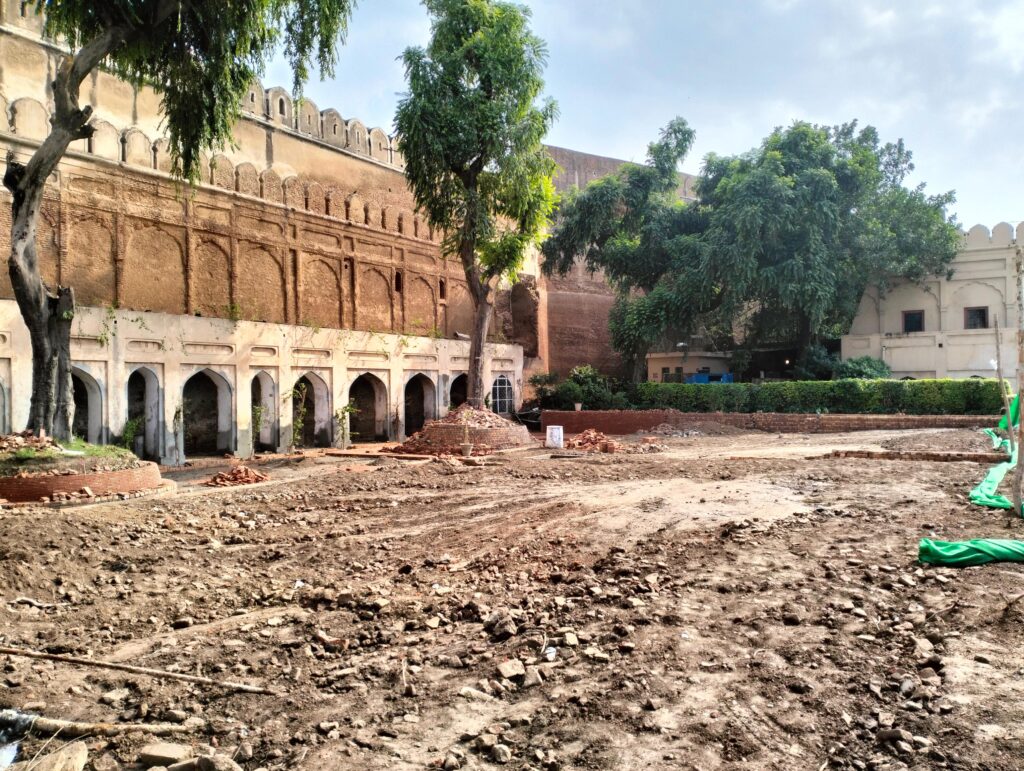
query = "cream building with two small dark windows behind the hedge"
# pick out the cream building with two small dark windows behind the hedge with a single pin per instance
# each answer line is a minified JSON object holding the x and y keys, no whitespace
{"x":945,"y":328}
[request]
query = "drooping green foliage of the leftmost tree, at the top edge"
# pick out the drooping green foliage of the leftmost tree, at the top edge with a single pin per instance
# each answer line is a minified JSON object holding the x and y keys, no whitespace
{"x":202,"y":56}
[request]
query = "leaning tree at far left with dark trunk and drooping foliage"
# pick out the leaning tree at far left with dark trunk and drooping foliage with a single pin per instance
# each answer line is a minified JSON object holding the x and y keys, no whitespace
{"x":201,"y":57}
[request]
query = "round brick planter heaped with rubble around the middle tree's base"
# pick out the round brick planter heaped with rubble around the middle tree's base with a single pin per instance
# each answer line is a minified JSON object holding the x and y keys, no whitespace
{"x":482,"y":429}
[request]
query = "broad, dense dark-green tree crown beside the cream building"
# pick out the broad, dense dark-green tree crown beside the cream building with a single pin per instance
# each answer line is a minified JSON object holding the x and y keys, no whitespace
{"x":783,"y":241}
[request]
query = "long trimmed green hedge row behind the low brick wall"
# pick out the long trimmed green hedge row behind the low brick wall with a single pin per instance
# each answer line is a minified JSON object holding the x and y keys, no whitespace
{"x":973,"y":397}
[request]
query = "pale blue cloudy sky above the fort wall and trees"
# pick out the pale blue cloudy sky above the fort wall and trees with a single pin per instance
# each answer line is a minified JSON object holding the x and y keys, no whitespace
{"x":945,"y":75}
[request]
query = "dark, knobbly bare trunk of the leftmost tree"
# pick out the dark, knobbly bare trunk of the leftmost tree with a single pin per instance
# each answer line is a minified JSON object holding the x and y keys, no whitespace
{"x":49,"y":316}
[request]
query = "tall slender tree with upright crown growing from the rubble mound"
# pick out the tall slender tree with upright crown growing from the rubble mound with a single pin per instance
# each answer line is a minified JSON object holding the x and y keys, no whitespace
{"x":472,"y":133}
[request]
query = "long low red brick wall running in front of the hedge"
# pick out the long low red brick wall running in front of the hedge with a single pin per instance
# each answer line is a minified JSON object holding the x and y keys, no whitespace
{"x":631,"y":421}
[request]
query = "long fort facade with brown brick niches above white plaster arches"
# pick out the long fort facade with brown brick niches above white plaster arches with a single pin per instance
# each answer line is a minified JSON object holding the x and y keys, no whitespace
{"x":296,"y":260}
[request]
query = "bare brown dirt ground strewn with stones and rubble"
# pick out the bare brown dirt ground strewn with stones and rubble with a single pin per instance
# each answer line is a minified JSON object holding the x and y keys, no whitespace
{"x":727,"y":605}
